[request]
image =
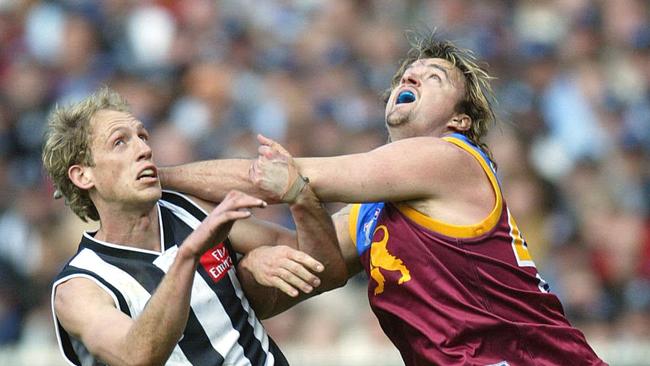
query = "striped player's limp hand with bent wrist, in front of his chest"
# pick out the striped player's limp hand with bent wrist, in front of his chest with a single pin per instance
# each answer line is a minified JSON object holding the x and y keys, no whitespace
{"x":216,"y":226}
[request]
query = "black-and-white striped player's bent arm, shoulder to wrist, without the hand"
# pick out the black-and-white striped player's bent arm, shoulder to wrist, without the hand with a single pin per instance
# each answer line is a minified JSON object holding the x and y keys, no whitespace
{"x":89,"y":313}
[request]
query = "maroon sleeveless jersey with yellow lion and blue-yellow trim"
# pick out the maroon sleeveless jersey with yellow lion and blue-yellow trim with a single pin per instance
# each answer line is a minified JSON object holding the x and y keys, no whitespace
{"x":462,"y":295}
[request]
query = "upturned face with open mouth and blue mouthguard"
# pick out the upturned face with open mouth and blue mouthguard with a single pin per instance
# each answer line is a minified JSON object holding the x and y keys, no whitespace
{"x":425,"y":99}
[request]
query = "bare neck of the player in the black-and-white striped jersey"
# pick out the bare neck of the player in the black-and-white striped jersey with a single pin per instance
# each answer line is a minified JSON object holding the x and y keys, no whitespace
{"x":138,"y":229}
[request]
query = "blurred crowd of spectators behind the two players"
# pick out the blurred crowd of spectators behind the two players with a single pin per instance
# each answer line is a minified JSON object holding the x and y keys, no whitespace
{"x":572,"y":145}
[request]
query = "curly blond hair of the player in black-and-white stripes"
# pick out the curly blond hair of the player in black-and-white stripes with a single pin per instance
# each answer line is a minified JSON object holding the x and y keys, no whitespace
{"x":67,"y":143}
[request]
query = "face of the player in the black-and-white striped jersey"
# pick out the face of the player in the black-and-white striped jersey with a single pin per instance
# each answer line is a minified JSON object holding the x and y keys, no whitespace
{"x":124,"y":173}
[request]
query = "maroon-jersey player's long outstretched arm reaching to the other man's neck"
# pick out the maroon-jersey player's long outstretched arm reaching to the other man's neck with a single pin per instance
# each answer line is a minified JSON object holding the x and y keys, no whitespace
{"x":414,"y":168}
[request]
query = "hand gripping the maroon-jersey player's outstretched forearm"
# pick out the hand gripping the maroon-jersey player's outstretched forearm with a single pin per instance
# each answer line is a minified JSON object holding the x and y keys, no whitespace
{"x":275,"y":172}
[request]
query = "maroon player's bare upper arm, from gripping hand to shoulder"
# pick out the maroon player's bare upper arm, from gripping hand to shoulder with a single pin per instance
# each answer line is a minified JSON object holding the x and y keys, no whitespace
{"x":415,"y":168}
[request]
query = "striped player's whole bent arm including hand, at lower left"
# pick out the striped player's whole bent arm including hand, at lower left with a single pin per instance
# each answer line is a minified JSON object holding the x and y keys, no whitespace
{"x":88,"y":313}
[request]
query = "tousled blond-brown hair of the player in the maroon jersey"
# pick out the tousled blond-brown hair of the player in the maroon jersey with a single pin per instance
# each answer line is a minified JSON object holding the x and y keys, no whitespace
{"x":479,"y":98}
